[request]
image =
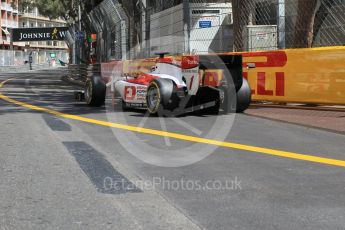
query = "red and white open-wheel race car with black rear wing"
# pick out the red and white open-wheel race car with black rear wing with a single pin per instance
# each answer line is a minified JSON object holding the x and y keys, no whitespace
{"x":170,"y":85}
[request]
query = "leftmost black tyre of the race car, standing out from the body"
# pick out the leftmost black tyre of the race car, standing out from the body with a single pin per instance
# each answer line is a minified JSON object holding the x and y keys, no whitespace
{"x":95,"y":91}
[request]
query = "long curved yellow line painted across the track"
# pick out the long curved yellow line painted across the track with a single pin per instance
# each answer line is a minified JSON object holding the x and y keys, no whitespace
{"x":266,"y":151}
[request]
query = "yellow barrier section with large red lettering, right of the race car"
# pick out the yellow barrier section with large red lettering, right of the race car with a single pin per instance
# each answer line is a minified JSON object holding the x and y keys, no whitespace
{"x":312,"y":76}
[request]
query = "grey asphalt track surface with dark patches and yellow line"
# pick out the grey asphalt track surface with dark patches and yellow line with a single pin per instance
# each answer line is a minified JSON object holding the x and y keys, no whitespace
{"x":64,"y":165}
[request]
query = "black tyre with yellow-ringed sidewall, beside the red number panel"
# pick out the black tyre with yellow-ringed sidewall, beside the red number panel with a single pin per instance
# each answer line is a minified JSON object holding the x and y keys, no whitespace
{"x":159,"y":97}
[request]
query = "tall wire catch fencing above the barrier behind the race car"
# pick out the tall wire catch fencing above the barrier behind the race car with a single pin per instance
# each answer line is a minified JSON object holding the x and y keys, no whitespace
{"x":139,"y":29}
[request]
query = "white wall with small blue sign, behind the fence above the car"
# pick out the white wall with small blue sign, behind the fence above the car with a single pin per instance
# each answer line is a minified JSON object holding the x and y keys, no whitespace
{"x":168,"y":32}
